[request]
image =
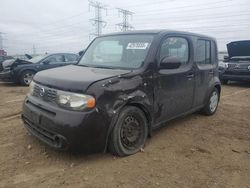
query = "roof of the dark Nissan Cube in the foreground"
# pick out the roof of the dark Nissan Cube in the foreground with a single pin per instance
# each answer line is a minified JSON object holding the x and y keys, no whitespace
{"x":159,"y":31}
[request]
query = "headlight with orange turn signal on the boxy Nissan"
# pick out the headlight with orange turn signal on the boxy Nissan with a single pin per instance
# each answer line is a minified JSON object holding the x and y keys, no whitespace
{"x":74,"y":101}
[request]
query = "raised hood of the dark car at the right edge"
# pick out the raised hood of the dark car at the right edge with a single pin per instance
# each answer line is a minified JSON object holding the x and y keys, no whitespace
{"x":239,"y":48}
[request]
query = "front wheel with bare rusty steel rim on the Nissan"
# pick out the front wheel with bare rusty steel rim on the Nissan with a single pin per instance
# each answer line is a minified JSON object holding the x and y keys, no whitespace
{"x":129,"y":133}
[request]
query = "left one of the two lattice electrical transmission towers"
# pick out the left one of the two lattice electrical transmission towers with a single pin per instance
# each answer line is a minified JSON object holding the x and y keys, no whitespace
{"x":97,"y":21}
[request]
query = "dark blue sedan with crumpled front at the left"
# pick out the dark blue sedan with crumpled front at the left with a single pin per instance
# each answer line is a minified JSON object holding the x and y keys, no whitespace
{"x":22,"y":71}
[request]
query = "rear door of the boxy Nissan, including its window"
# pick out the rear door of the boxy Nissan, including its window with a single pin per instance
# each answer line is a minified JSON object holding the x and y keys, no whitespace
{"x":205,"y":58}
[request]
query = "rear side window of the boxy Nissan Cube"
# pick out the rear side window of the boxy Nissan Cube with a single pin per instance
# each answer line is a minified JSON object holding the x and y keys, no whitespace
{"x":203,"y":52}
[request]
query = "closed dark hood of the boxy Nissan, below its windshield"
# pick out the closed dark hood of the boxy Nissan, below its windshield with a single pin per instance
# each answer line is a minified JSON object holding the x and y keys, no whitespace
{"x":75,"y":78}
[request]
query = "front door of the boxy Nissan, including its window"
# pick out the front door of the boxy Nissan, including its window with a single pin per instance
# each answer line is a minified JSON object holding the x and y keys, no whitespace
{"x":174,"y":88}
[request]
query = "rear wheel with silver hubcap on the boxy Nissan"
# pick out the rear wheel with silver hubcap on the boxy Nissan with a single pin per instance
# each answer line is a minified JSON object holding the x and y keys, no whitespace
{"x":212,"y":104}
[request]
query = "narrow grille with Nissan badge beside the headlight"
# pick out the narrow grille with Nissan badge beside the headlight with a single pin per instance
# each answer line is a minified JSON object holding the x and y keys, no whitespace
{"x":45,"y":93}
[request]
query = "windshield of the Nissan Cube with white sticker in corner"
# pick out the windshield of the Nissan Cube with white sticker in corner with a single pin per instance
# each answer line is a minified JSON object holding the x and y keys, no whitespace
{"x":120,"y":51}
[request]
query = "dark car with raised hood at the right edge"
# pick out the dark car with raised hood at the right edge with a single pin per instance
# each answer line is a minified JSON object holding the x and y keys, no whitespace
{"x":236,"y":66}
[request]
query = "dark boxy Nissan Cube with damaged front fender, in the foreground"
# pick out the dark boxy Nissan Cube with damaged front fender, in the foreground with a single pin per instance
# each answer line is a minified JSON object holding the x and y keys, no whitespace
{"x":124,"y":86}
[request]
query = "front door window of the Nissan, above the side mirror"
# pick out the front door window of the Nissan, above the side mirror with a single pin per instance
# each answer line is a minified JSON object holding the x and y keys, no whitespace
{"x":175,"y":48}
